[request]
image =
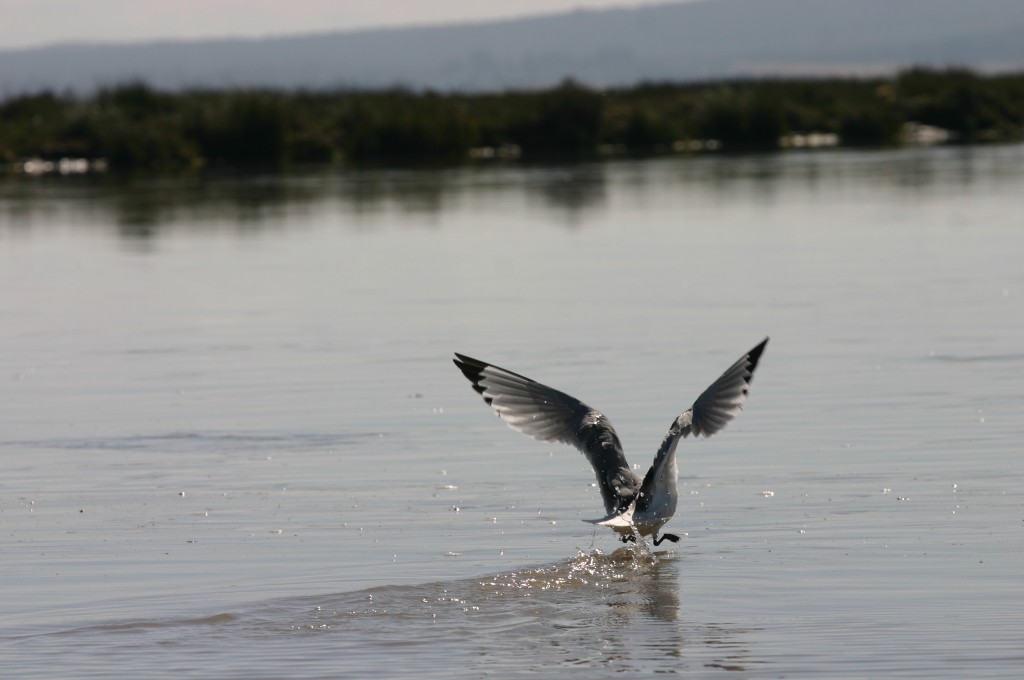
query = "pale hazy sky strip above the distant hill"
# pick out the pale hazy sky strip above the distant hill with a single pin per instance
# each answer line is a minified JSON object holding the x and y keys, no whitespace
{"x":30,"y":23}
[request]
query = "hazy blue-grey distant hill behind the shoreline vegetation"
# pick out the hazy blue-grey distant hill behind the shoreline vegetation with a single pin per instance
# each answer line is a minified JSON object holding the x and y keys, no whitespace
{"x":676,"y":42}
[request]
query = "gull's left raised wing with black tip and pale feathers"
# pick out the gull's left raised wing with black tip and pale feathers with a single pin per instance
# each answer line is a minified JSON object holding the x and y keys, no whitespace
{"x":549,"y":415}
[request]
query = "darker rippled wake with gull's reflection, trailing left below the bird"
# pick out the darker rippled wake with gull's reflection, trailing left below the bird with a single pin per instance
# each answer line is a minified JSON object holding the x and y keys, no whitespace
{"x":620,"y":612}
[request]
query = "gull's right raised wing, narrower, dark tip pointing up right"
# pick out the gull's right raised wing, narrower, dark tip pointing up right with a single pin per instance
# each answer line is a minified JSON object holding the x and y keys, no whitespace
{"x":714,"y":409}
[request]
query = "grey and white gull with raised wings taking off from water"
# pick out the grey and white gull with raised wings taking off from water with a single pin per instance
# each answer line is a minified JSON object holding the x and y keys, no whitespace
{"x":633,"y":505}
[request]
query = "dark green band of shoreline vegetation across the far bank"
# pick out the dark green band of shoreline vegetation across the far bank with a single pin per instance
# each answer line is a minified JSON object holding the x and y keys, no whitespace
{"x":135,"y":126}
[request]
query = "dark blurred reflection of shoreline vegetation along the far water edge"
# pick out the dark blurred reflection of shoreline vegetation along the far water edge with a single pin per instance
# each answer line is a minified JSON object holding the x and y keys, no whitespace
{"x":140,"y":207}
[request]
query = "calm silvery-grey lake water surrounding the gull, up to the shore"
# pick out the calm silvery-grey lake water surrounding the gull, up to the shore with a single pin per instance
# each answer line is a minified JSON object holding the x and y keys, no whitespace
{"x":234,"y":444}
